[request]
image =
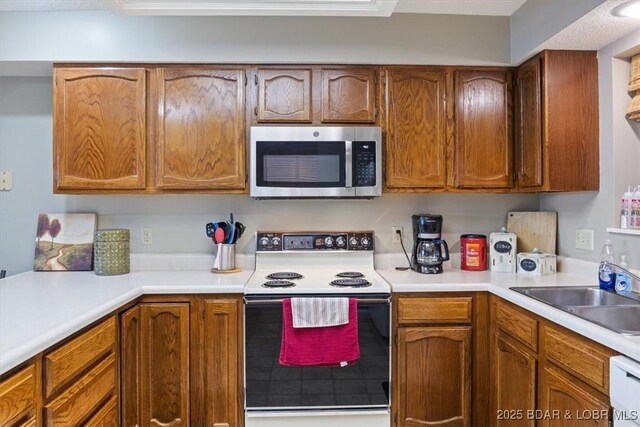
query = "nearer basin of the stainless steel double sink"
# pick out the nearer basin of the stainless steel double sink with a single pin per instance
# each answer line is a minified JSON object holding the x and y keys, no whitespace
{"x":622,"y":319}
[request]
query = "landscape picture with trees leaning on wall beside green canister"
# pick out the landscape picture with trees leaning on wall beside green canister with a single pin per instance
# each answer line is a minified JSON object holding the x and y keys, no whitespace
{"x":64,"y":242}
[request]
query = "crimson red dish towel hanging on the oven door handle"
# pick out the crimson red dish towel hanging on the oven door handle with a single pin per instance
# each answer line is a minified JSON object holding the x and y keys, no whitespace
{"x":327,"y":346}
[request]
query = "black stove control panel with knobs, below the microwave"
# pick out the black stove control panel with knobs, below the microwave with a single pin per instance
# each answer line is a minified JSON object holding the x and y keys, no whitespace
{"x":321,"y":241}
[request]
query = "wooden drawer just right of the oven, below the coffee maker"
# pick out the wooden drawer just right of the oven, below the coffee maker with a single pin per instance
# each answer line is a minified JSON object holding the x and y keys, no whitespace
{"x":434,"y":310}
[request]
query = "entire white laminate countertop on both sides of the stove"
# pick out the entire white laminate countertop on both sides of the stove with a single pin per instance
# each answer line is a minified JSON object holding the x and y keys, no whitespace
{"x":39,"y":309}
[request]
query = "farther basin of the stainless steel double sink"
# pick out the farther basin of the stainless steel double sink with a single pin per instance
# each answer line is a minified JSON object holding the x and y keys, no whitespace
{"x":576,"y":296}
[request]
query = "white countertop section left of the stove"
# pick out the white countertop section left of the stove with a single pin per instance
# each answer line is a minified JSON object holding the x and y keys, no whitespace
{"x":38,"y":309}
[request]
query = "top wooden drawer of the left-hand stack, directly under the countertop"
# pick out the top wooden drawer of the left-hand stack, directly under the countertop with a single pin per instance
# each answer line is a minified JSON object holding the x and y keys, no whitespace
{"x":62,"y":365}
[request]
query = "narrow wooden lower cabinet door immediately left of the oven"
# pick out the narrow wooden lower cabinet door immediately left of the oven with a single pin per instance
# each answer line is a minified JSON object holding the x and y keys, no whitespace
{"x":222,"y":391}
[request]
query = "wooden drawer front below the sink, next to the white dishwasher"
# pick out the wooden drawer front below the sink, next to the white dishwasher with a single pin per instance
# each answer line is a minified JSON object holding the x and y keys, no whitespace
{"x":584,"y":359}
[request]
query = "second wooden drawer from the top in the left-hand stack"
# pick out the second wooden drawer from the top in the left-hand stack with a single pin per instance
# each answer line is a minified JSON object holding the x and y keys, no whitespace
{"x":84,"y":397}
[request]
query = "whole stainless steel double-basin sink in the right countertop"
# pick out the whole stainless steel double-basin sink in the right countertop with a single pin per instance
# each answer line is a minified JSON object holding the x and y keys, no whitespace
{"x":615,"y":312}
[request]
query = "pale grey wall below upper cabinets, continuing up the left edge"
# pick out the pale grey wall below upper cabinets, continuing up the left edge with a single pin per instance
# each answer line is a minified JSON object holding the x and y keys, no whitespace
{"x":178,"y":221}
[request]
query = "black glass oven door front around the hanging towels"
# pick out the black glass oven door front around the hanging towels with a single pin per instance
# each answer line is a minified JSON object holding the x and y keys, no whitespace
{"x":269,"y":385}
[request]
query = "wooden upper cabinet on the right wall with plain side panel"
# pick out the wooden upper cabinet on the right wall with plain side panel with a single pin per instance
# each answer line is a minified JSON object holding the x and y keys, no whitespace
{"x":557,"y":122}
